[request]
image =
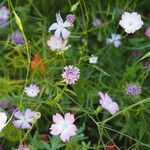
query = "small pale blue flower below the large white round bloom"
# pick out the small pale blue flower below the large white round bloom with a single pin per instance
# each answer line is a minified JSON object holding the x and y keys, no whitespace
{"x":115,"y":39}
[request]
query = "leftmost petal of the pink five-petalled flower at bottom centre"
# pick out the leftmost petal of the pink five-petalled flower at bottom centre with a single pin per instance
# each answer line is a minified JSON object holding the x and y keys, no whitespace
{"x":56,"y":129}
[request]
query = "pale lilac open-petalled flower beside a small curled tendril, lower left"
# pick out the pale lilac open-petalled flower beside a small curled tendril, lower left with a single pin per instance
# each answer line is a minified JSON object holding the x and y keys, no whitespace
{"x":24,"y":120}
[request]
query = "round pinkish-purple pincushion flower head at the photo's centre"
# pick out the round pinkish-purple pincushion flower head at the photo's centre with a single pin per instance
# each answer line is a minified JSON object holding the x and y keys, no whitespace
{"x":71,"y":74}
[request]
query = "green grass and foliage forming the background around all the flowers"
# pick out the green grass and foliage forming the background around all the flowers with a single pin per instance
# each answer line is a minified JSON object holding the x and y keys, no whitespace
{"x":116,"y":67}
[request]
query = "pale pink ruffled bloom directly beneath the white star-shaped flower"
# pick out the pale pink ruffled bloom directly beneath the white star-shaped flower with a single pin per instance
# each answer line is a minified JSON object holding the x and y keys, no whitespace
{"x":57,"y":44}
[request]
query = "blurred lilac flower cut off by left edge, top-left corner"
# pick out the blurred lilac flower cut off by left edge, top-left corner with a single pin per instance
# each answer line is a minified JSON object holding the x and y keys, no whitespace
{"x":4,"y":15}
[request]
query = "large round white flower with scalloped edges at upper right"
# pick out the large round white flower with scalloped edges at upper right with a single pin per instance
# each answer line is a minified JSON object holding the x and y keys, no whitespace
{"x":131,"y":22}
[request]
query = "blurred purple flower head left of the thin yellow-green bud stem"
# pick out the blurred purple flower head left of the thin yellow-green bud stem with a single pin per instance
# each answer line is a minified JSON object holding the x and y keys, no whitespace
{"x":16,"y":38}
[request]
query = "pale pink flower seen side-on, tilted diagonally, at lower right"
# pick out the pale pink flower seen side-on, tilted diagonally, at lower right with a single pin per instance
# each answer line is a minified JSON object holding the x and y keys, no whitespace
{"x":107,"y":103}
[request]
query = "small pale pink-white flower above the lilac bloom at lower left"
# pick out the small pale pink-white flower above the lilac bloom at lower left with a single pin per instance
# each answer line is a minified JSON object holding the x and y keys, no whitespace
{"x":32,"y":90}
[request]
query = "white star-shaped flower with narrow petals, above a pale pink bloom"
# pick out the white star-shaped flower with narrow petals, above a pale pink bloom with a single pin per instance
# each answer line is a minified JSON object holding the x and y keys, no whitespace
{"x":60,"y":27}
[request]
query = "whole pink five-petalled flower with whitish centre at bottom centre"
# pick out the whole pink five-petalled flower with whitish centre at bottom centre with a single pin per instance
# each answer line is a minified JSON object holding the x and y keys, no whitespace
{"x":63,"y":126}
